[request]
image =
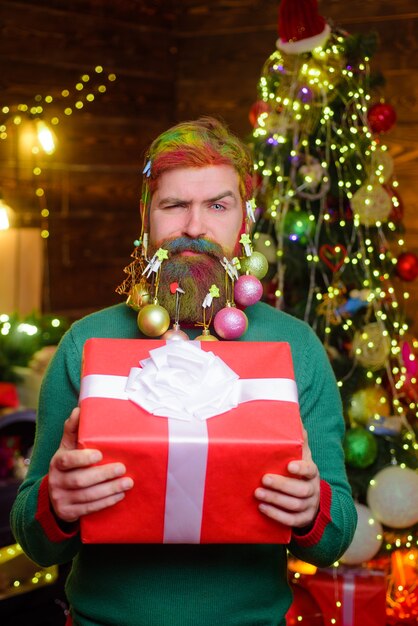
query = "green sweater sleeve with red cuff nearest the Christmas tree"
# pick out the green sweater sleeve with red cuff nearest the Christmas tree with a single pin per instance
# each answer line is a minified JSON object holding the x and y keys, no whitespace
{"x":321,"y":412}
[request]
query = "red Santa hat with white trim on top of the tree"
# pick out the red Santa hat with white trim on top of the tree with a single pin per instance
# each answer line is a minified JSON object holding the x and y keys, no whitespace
{"x":301,"y":28}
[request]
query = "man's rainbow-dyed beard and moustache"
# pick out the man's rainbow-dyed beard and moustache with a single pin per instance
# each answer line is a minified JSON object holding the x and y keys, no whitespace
{"x":195,"y":274}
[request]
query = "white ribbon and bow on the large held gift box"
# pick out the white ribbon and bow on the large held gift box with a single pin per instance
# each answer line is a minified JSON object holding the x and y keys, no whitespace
{"x":187,"y":385}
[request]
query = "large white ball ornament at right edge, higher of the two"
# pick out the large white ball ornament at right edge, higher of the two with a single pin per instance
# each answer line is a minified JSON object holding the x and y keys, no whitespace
{"x":392,"y":495}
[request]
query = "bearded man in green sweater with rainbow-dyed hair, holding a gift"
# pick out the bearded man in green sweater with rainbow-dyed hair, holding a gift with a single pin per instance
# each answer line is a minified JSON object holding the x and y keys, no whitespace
{"x":196,"y":185}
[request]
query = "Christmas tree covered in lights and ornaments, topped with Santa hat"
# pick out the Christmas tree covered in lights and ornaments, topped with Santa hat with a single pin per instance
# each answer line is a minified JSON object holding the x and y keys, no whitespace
{"x":330,"y":222}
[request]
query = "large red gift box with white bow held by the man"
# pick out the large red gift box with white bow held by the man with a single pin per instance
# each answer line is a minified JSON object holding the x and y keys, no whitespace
{"x":194,"y":481}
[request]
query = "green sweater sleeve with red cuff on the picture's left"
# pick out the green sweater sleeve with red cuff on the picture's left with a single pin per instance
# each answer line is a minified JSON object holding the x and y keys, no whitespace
{"x":32,"y":522}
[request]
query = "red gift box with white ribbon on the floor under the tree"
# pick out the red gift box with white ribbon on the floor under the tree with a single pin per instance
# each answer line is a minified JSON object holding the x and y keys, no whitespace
{"x":349,"y":596}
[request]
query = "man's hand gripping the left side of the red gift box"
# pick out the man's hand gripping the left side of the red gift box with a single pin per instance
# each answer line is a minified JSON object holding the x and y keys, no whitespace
{"x":76,"y":487}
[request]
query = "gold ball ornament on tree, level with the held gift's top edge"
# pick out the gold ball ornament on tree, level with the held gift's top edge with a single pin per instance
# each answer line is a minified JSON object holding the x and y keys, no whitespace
{"x":371,"y":346}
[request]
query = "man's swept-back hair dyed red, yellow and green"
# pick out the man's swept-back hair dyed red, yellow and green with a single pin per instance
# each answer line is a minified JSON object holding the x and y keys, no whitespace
{"x":198,"y":143}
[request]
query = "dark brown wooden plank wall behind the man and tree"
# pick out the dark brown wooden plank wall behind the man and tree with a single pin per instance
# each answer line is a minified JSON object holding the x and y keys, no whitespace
{"x":174,"y":60}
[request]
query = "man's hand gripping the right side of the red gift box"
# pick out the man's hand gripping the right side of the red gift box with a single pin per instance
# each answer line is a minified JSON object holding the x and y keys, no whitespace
{"x":292,"y":501}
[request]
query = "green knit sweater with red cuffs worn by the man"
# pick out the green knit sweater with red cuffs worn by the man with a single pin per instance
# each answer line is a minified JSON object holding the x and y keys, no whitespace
{"x":186,"y":585}
